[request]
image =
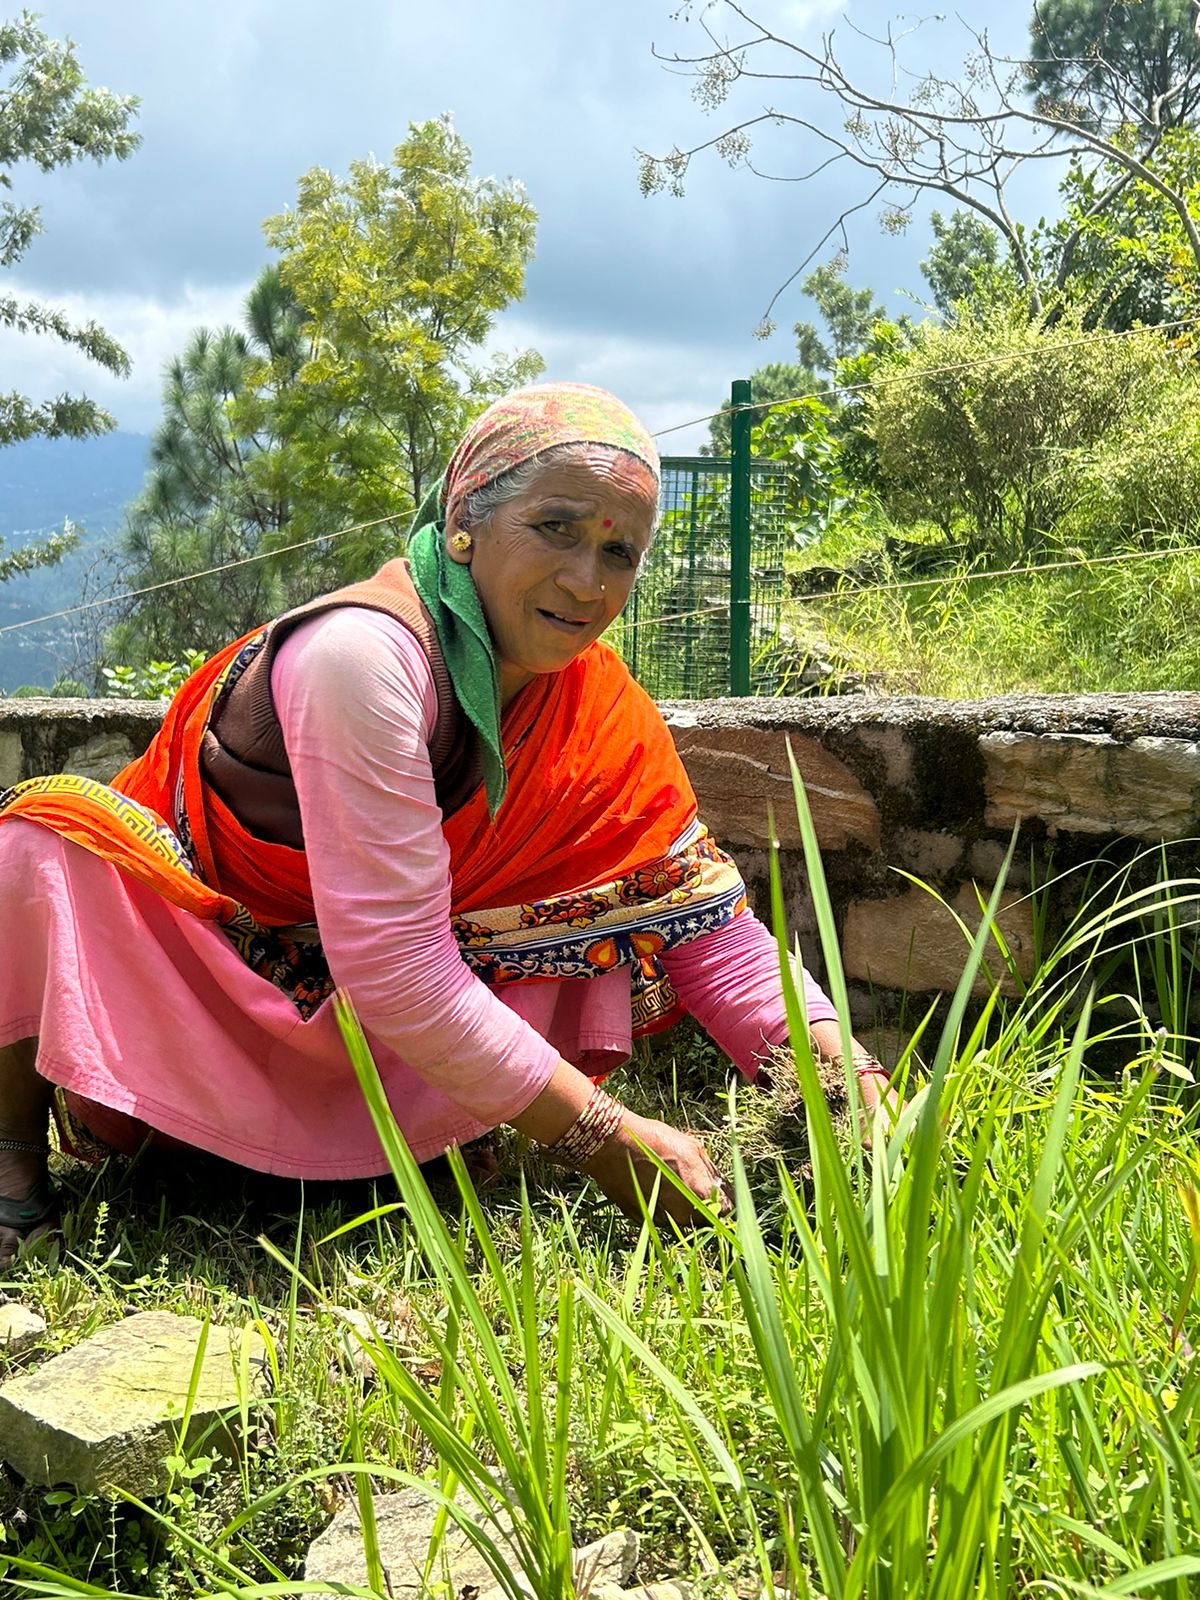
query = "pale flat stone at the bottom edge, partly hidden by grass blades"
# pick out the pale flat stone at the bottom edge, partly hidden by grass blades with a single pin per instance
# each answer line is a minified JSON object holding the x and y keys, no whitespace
{"x":406,"y":1527}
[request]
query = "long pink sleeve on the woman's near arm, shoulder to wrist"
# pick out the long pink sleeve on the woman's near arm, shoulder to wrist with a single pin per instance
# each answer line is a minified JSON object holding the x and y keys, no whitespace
{"x":358,"y":706}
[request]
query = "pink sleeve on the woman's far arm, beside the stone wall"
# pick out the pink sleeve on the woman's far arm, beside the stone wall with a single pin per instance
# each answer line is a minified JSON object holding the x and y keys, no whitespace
{"x":729,"y":980}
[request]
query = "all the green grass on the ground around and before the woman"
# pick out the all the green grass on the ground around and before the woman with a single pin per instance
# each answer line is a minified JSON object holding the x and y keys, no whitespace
{"x":954,"y":1364}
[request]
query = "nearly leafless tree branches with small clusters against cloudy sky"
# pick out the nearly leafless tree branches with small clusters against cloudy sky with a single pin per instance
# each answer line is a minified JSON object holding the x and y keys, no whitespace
{"x":964,"y":138}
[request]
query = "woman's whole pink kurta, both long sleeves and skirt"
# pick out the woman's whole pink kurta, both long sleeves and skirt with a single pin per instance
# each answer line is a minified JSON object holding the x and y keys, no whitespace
{"x":151,"y":1014}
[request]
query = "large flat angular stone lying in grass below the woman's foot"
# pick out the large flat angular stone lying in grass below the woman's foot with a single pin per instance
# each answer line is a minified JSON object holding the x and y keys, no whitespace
{"x":108,"y":1412}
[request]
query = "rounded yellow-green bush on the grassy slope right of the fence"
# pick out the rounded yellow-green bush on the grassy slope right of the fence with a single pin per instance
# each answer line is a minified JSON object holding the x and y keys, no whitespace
{"x":982,"y":428}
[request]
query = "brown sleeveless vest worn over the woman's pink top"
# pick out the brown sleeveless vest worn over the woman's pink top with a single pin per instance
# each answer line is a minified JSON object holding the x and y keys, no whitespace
{"x":244,"y":758}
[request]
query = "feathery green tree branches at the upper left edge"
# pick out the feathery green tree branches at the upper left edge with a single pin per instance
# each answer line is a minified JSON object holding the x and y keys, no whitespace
{"x":50,"y":119}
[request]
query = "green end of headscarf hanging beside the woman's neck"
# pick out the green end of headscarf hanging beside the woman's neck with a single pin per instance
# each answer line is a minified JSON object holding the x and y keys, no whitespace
{"x":449,"y":594}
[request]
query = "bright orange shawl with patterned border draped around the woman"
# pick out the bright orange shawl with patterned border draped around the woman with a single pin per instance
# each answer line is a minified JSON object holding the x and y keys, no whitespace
{"x":594,"y":860}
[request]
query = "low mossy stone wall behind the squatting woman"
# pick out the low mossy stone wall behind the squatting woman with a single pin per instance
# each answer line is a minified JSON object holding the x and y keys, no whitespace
{"x":897,"y":786}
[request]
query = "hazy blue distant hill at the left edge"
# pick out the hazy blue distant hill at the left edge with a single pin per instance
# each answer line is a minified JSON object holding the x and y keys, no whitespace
{"x":44,"y":482}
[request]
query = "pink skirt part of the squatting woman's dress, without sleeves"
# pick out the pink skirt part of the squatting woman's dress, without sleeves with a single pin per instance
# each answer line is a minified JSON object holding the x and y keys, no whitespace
{"x":148,"y":1018}
